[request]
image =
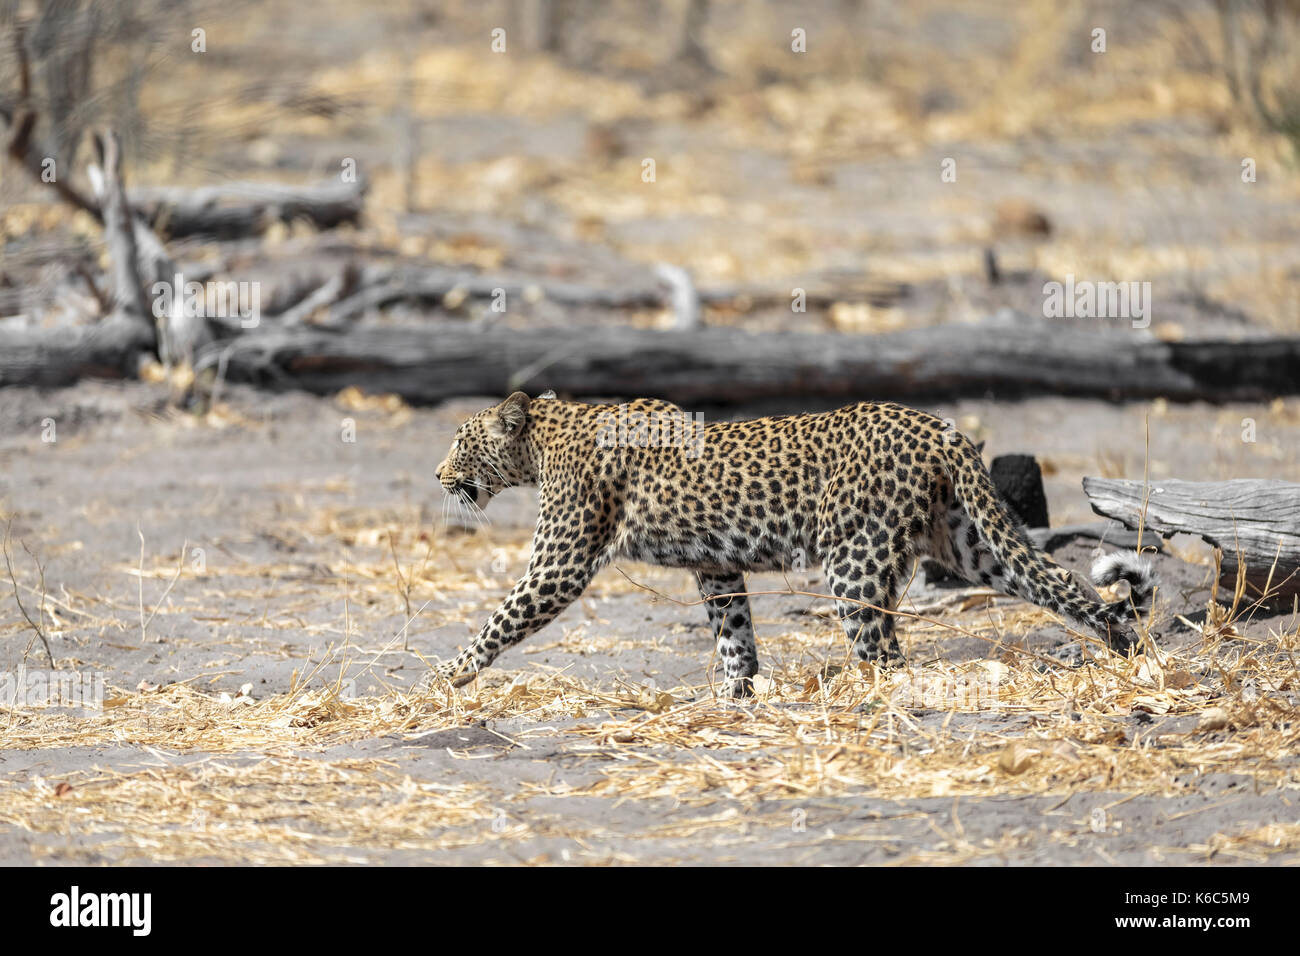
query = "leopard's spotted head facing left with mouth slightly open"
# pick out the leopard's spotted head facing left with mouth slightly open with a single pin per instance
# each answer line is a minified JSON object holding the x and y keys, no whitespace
{"x":489,"y":453}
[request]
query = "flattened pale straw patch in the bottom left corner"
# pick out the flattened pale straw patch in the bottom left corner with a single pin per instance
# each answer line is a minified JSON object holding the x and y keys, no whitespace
{"x":274,"y":811}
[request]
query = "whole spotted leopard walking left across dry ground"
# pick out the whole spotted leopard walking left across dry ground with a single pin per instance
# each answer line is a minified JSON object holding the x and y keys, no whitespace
{"x":864,"y":491}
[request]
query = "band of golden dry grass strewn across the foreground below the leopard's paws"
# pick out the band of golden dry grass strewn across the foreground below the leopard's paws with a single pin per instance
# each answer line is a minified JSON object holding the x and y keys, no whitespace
{"x":814,"y":732}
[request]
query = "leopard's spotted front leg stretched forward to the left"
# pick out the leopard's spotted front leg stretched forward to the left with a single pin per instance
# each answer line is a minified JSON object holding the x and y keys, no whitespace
{"x":561,"y":569}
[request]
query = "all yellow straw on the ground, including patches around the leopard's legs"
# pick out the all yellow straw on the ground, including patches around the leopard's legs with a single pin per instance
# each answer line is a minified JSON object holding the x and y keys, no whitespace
{"x":245,"y":781}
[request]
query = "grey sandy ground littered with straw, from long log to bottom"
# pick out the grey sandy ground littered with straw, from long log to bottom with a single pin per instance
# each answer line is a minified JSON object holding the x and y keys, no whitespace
{"x":287,"y":578}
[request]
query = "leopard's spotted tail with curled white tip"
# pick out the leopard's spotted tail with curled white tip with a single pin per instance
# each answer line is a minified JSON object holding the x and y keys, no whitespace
{"x":1024,"y":570}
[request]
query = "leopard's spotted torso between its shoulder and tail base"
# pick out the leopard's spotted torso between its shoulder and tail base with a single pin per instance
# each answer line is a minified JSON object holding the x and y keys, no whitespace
{"x":755,"y":495}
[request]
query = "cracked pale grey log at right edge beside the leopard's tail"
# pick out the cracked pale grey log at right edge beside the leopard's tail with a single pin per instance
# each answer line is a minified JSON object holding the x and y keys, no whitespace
{"x":1255,"y":522}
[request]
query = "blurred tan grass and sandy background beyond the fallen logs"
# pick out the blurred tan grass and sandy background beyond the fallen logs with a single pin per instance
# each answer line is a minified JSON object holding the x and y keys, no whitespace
{"x":773,"y":167}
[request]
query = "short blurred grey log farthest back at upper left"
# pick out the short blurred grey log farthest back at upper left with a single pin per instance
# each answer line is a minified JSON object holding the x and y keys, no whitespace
{"x":242,"y":210}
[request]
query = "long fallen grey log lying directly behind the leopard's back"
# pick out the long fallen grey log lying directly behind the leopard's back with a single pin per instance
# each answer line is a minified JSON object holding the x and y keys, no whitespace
{"x":723,"y":366}
